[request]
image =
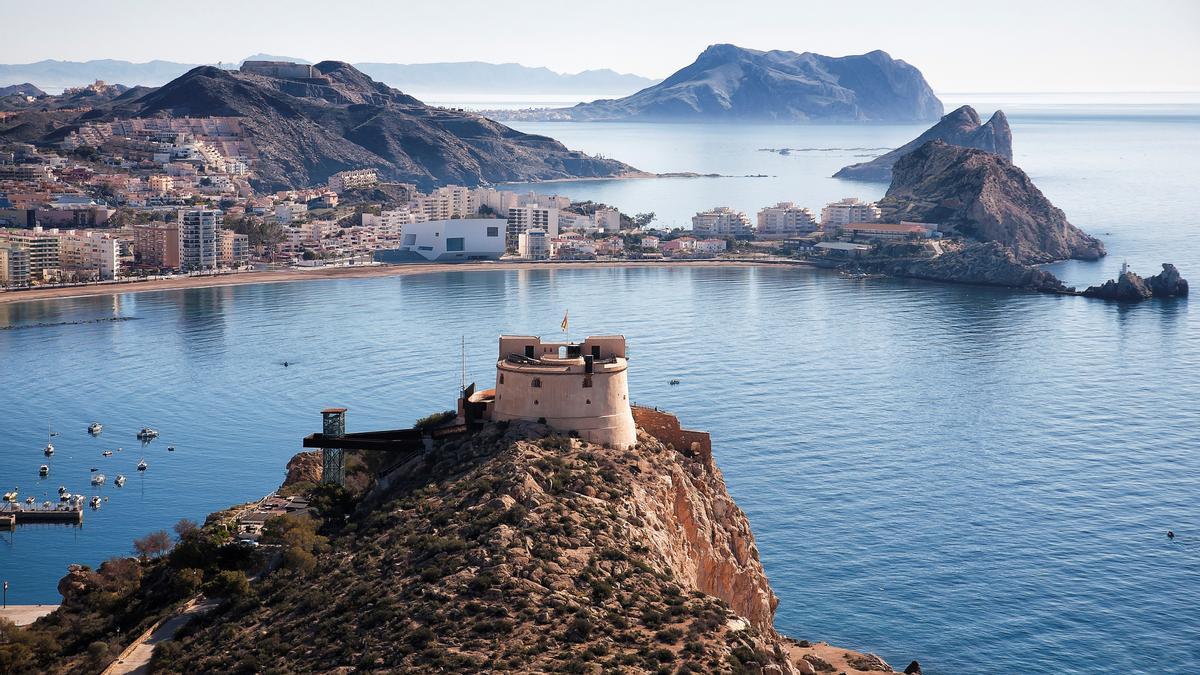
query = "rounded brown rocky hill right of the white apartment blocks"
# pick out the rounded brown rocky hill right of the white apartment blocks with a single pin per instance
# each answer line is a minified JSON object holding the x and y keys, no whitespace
{"x":985,"y":198}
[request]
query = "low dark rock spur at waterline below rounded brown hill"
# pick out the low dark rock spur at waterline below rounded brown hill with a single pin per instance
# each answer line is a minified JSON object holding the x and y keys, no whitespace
{"x":988,"y":264}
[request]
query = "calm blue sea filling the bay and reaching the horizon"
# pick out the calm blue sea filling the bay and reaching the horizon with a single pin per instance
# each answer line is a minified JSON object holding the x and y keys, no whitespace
{"x":977,"y":479}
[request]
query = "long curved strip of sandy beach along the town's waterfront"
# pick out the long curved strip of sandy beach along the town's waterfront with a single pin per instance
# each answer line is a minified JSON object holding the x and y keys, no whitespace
{"x":357,"y":272}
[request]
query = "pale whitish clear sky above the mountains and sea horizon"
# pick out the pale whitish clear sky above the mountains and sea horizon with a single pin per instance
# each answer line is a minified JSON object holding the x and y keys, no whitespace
{"x":967,"y":47}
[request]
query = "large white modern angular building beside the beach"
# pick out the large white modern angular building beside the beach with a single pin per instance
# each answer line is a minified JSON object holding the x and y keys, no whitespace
{"x":449,"y":241}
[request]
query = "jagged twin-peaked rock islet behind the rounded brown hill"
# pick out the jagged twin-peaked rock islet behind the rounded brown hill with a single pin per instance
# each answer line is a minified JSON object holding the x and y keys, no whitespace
{"x":958,"y":128}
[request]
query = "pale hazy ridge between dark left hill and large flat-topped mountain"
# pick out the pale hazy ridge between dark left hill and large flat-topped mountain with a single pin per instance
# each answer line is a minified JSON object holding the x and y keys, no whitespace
{"x":472,"y":77}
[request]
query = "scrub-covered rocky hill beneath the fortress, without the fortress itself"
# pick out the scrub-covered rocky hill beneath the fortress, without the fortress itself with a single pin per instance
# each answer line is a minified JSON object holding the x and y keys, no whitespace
{"x":514,"y":549}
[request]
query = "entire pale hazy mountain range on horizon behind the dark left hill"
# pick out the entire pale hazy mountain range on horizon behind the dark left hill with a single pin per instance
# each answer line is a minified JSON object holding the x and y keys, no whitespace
{"x":469,"y":77}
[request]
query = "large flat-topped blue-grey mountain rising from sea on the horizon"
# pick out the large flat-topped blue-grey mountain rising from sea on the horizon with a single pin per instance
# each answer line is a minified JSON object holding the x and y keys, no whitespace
{"x":731,"y":83}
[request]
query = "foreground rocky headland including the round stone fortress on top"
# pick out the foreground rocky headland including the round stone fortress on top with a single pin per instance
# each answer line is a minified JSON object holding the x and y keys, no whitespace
{"x":479,"y":541}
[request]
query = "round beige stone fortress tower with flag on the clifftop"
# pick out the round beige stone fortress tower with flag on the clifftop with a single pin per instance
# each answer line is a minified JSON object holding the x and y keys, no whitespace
{"x":574,"y":387}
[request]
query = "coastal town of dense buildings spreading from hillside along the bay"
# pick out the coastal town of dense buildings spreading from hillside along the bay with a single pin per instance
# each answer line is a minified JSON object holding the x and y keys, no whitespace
{"x":151,"y":198}
